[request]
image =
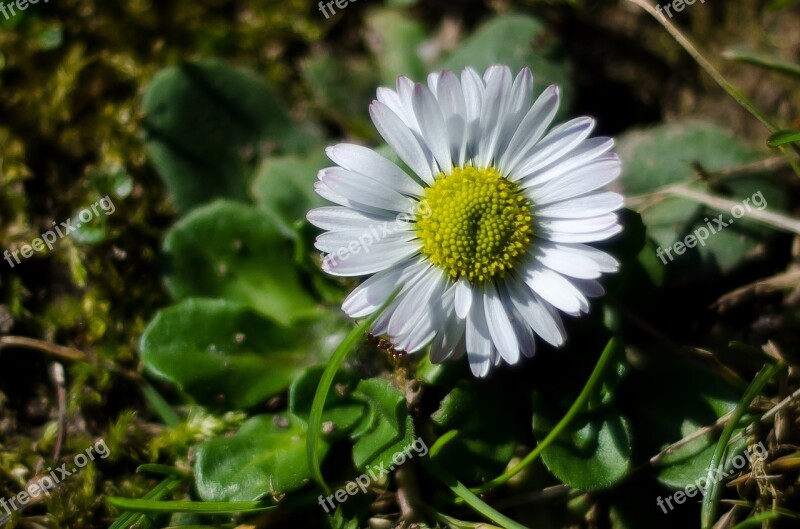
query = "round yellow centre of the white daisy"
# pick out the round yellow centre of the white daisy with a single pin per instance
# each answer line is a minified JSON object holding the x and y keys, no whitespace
{"x":478,"y":223}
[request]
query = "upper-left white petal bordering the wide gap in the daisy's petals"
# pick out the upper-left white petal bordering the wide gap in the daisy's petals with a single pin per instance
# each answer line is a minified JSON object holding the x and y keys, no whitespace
{"x":402,"y":139}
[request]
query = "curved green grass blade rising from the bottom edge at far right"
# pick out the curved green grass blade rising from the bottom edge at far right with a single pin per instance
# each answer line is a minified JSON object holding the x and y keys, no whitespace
{"x":708,"y":510}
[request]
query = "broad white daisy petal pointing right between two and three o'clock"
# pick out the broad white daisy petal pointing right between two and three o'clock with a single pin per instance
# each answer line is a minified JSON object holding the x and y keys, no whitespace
{"x":579,"y":182}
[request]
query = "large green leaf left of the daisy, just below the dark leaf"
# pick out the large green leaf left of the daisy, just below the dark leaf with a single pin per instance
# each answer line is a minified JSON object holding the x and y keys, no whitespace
{"x":236,"y":252}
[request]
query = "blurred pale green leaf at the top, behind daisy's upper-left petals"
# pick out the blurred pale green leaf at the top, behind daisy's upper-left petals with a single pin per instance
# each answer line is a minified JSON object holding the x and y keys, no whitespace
{"x":396,"y":42}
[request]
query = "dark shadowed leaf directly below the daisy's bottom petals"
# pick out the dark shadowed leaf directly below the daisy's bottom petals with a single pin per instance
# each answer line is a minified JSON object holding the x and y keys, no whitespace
{"x":486,"y":438}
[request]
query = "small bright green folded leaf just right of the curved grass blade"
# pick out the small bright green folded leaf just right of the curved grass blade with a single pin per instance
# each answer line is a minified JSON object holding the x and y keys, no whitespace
{"x":386,"y":430}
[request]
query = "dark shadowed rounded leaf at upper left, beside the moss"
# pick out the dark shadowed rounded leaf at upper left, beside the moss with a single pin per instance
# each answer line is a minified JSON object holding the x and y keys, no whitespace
{"x":204,"y":123}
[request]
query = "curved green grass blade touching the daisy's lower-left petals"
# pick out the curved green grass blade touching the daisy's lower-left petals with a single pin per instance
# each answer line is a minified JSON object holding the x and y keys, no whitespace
{"x":318,"y":404}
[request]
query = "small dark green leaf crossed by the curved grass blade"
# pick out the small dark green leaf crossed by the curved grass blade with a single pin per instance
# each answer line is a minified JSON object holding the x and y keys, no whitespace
{"x":342,"y":413}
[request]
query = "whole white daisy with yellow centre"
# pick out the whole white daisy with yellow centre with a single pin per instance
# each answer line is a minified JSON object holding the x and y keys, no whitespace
{"x":486,"y":238}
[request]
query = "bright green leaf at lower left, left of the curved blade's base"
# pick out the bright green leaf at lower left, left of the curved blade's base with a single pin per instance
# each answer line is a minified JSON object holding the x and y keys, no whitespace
{"x":267,"y":456}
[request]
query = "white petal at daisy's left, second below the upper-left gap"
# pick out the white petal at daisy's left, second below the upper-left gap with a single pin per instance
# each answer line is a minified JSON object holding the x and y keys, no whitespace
{"x":359,"y":188}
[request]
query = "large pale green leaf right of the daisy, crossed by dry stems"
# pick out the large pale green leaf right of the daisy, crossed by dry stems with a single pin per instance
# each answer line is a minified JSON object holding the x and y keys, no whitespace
{"x":666,"y":155}
